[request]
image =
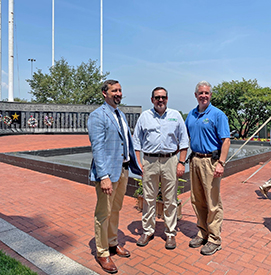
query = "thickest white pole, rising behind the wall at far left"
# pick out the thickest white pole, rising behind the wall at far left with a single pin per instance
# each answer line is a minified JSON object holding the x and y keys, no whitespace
{"x":10,"y":49}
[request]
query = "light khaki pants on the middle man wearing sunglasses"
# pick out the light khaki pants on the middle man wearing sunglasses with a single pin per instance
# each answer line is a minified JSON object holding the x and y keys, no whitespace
{"x":160,"y":170}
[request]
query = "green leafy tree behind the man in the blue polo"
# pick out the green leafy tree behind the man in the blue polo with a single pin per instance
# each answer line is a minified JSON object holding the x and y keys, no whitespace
{"x":246,"y":104}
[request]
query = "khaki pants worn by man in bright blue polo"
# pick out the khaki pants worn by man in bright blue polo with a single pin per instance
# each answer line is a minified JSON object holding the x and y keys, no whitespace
{"x":205,"y":198}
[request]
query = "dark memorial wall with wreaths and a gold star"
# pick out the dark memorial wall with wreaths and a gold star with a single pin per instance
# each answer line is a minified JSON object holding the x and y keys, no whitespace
{"x":17,"y":117}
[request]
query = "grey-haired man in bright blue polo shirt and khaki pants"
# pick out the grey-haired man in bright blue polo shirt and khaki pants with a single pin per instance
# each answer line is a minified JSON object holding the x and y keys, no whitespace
{"x":209,"y":134}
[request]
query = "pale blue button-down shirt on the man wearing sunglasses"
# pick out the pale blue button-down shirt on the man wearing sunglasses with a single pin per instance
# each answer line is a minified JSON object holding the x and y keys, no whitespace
{"x":160,"y":134}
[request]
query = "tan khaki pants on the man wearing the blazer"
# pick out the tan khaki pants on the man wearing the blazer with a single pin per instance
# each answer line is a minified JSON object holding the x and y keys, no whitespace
{"x":107,"y":215}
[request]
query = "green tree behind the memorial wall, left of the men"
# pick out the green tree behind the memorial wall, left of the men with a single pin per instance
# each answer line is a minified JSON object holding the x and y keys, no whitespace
{"x":65,"y":84}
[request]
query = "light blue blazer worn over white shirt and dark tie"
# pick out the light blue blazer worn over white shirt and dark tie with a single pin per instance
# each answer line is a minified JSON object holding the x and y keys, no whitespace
{"x":107,"y":145}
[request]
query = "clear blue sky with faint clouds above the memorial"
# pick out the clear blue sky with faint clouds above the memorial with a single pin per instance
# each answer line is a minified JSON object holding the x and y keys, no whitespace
{"x":149,"y":43}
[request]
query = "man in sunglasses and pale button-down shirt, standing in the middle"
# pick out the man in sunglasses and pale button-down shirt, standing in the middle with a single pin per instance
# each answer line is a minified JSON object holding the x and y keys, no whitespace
{"x":160,"y":133}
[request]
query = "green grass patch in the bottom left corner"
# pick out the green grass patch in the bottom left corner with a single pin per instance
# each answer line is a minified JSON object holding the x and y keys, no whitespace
{"x":10,"y":266}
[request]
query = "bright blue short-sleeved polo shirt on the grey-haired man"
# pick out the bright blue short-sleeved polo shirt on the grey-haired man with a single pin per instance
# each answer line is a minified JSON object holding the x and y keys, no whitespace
{"x":207,"y":129}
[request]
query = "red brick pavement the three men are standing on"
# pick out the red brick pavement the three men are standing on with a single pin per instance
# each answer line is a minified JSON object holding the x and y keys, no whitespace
{"x":59,"y":213}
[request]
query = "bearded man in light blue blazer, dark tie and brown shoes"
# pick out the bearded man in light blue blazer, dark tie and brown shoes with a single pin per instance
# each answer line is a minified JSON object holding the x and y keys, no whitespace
{"x":113,"y":153}
